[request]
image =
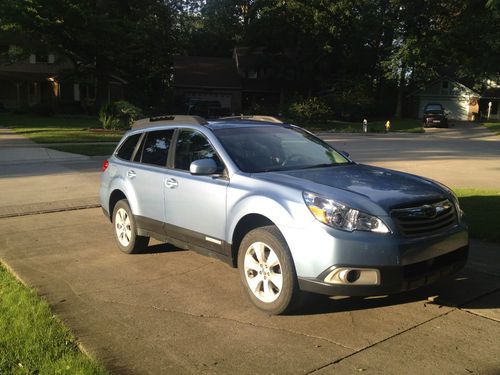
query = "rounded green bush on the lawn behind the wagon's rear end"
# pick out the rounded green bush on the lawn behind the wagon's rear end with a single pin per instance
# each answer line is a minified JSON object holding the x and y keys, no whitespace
{"x":119,"y":115}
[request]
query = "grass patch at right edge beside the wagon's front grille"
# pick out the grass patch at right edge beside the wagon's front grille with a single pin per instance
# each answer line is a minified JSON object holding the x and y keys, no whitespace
{"x":482,"y":210}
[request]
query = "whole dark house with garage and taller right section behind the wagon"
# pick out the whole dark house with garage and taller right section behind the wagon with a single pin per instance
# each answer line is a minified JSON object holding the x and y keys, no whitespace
{"x":209,"y":86}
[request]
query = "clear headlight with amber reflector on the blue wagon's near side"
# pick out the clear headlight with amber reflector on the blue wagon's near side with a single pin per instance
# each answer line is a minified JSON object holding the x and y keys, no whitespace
{"x":340,"y":216}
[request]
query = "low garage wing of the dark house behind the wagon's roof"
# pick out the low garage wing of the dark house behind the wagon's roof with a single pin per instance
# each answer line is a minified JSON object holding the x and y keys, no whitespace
{"x":208,"y":86}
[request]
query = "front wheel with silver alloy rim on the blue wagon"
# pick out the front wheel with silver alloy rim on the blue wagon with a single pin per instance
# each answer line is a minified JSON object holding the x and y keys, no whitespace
{"x":267,"y":271}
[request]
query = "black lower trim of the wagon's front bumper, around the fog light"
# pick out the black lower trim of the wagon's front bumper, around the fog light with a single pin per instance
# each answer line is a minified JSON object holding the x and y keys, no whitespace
{"x":394,"y":279}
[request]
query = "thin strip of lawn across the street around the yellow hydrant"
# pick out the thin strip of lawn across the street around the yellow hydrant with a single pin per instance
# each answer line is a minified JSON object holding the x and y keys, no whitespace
{"x":397,"y":125}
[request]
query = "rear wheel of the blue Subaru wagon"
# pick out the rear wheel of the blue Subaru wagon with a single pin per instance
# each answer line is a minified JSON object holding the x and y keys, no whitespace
{"x":125,"y":229}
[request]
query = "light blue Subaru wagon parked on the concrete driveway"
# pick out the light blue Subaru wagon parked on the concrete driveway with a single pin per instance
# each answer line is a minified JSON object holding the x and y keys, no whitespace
{"x":292,"y":213}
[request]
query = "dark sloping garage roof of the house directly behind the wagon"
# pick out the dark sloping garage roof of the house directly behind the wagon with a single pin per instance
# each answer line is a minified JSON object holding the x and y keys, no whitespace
{"x":205,"y":72}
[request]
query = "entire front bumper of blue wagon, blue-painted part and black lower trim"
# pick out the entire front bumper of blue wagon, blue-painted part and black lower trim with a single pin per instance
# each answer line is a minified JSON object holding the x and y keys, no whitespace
{"x":392,"y":263}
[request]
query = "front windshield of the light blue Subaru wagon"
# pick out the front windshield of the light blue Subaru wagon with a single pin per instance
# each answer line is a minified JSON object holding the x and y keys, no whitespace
{"x":275,"y":148}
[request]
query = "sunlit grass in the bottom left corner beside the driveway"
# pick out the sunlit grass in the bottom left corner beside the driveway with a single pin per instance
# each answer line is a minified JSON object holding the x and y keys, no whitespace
{"x":32,"y":339}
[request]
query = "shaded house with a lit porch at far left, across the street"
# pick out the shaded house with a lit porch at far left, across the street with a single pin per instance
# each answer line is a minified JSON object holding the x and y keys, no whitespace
{"x":47,"y":80}
